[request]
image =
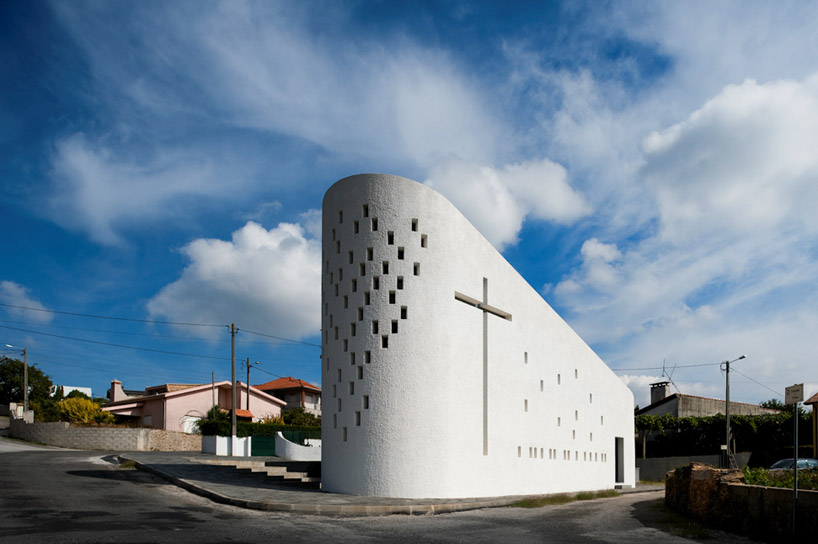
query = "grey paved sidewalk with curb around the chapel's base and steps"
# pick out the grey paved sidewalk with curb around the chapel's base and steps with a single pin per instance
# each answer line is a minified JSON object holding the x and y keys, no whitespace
{"x":228,"y":485}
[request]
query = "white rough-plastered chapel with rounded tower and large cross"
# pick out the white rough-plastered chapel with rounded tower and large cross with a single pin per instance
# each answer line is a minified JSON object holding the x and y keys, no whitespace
{"x":444,"y":373}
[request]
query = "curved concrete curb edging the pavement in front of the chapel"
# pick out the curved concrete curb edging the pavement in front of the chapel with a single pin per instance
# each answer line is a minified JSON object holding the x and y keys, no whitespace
{"x":334,"y":510}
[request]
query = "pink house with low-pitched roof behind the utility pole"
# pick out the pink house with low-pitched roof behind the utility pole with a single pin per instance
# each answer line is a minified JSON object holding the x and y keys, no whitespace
{"x":176,"y":407}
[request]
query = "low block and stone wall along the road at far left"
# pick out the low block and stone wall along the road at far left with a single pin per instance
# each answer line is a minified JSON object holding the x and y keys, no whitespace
{"x":65,"y":435}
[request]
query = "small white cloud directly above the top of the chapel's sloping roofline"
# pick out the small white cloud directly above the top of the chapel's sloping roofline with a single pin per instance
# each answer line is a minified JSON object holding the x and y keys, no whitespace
{"x":497,"y":201}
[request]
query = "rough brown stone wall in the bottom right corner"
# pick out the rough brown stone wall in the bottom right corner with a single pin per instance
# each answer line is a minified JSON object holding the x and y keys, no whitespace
{"x":720,"y":498}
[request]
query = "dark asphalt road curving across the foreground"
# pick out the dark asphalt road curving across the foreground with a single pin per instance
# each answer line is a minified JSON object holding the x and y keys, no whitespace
{"x":58,"y":496}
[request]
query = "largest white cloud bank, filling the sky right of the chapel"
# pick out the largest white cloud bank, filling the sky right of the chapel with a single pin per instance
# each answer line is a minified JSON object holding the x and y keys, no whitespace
{"x":731,"y":266}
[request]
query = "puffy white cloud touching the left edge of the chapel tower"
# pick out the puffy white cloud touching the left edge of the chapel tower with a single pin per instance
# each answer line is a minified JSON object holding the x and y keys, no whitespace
{"x":263,"y":280}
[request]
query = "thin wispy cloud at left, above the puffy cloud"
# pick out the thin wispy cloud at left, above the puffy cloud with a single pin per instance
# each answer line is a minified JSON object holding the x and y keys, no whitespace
{"x":99,"y":192}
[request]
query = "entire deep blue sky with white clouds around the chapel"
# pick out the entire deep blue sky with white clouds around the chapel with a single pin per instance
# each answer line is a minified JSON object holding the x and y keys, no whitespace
{"x":649,"y":167}
